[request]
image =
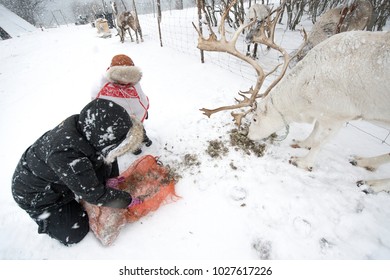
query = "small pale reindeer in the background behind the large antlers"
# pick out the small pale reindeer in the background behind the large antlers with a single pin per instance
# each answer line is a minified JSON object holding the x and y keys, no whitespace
{"x":259,"y":12}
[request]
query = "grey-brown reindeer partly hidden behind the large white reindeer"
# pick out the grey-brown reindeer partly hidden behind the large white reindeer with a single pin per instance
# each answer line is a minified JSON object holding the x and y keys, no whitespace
{"x":341,"y":19}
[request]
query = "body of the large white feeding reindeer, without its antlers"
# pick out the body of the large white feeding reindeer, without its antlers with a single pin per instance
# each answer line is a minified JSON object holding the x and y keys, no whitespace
{"x":344,"y":78}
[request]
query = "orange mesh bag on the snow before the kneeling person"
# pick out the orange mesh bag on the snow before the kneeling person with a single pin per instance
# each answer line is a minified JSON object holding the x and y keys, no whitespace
{"x":147,"y":179}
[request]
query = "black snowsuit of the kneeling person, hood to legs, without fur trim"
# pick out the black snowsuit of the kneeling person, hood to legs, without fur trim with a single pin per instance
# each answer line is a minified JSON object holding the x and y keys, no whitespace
{"x":66,"y":164}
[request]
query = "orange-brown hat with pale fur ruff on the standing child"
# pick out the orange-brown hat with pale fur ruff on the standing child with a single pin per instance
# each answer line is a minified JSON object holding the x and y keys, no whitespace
{"x":123,"y":71}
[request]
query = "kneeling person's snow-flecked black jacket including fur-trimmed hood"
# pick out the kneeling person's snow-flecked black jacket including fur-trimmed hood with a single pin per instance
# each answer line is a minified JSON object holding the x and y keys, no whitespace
{"x":76,"y":158}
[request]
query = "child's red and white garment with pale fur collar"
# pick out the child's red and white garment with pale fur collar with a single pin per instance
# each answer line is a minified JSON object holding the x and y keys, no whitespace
{"x":124,"y":89}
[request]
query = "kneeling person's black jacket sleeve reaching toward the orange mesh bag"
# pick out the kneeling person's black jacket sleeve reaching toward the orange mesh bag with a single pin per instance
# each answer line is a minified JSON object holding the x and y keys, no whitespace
{"x":78,"y":173}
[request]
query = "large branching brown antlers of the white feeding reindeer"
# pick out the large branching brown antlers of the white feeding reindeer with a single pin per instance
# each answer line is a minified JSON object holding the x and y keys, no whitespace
{"x":265,"y":36}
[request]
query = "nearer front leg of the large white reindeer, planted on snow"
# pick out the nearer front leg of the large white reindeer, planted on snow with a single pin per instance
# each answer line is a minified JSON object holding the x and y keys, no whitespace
{"x":318,"y":138}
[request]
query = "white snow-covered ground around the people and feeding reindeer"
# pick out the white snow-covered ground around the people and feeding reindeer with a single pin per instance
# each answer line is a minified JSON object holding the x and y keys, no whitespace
{"x":234,"y":206}
